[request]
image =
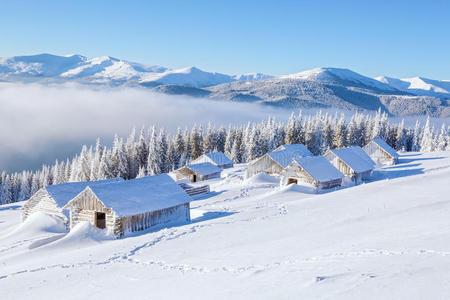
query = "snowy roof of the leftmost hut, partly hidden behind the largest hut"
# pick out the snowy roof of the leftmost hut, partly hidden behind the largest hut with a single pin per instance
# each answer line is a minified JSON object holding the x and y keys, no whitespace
{"x":63,"y":193}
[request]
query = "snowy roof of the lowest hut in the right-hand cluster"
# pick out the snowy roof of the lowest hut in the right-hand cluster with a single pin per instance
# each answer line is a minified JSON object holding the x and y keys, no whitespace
{"x":319,"y":168}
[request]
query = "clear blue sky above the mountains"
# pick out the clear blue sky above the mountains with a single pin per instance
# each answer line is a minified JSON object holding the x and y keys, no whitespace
{"x":394,"y":38}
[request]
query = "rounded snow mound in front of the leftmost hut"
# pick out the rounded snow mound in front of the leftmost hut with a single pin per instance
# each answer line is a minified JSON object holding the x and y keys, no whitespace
{"x":40,"y":222}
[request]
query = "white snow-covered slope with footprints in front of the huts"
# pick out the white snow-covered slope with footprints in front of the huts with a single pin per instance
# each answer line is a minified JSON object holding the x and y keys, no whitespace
{"x":251,"y":239}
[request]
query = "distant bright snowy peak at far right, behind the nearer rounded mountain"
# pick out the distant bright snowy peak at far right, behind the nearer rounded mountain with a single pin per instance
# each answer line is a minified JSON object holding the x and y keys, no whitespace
{"x":419,"y":86}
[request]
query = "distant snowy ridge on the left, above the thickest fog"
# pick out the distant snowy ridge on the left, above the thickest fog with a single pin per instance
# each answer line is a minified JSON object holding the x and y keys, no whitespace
{"x":108,"y":70}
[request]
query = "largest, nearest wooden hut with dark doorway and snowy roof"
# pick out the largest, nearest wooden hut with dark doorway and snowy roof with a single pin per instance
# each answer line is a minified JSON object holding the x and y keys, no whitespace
{"x":131,"y":205}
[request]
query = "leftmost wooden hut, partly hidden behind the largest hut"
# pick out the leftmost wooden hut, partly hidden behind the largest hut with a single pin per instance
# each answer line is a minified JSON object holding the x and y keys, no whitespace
{"x":51,"y":199}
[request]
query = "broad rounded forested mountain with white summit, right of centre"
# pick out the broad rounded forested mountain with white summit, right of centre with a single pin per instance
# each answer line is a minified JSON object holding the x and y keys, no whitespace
{"x":327,"y":90}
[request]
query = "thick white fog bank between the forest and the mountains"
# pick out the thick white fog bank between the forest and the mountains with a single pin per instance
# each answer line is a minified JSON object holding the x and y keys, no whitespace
{"x":41,"y":123}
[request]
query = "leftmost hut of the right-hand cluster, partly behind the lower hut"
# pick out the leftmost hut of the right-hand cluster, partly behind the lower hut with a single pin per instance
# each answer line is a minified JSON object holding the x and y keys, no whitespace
{"x":274,"y":162}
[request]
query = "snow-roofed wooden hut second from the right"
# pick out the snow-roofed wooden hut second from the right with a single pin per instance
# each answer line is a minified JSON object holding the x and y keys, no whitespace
{"x":350,"y":162}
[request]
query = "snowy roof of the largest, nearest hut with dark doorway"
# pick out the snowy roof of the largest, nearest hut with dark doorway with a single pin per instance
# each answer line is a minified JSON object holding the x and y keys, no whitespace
{"x":141,"y":195}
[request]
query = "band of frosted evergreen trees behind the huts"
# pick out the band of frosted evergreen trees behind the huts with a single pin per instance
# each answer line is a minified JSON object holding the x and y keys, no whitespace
{"x":153,"y":151}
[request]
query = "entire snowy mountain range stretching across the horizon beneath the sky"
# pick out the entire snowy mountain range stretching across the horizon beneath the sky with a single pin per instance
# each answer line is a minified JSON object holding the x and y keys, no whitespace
{"x":320,"y":87}
